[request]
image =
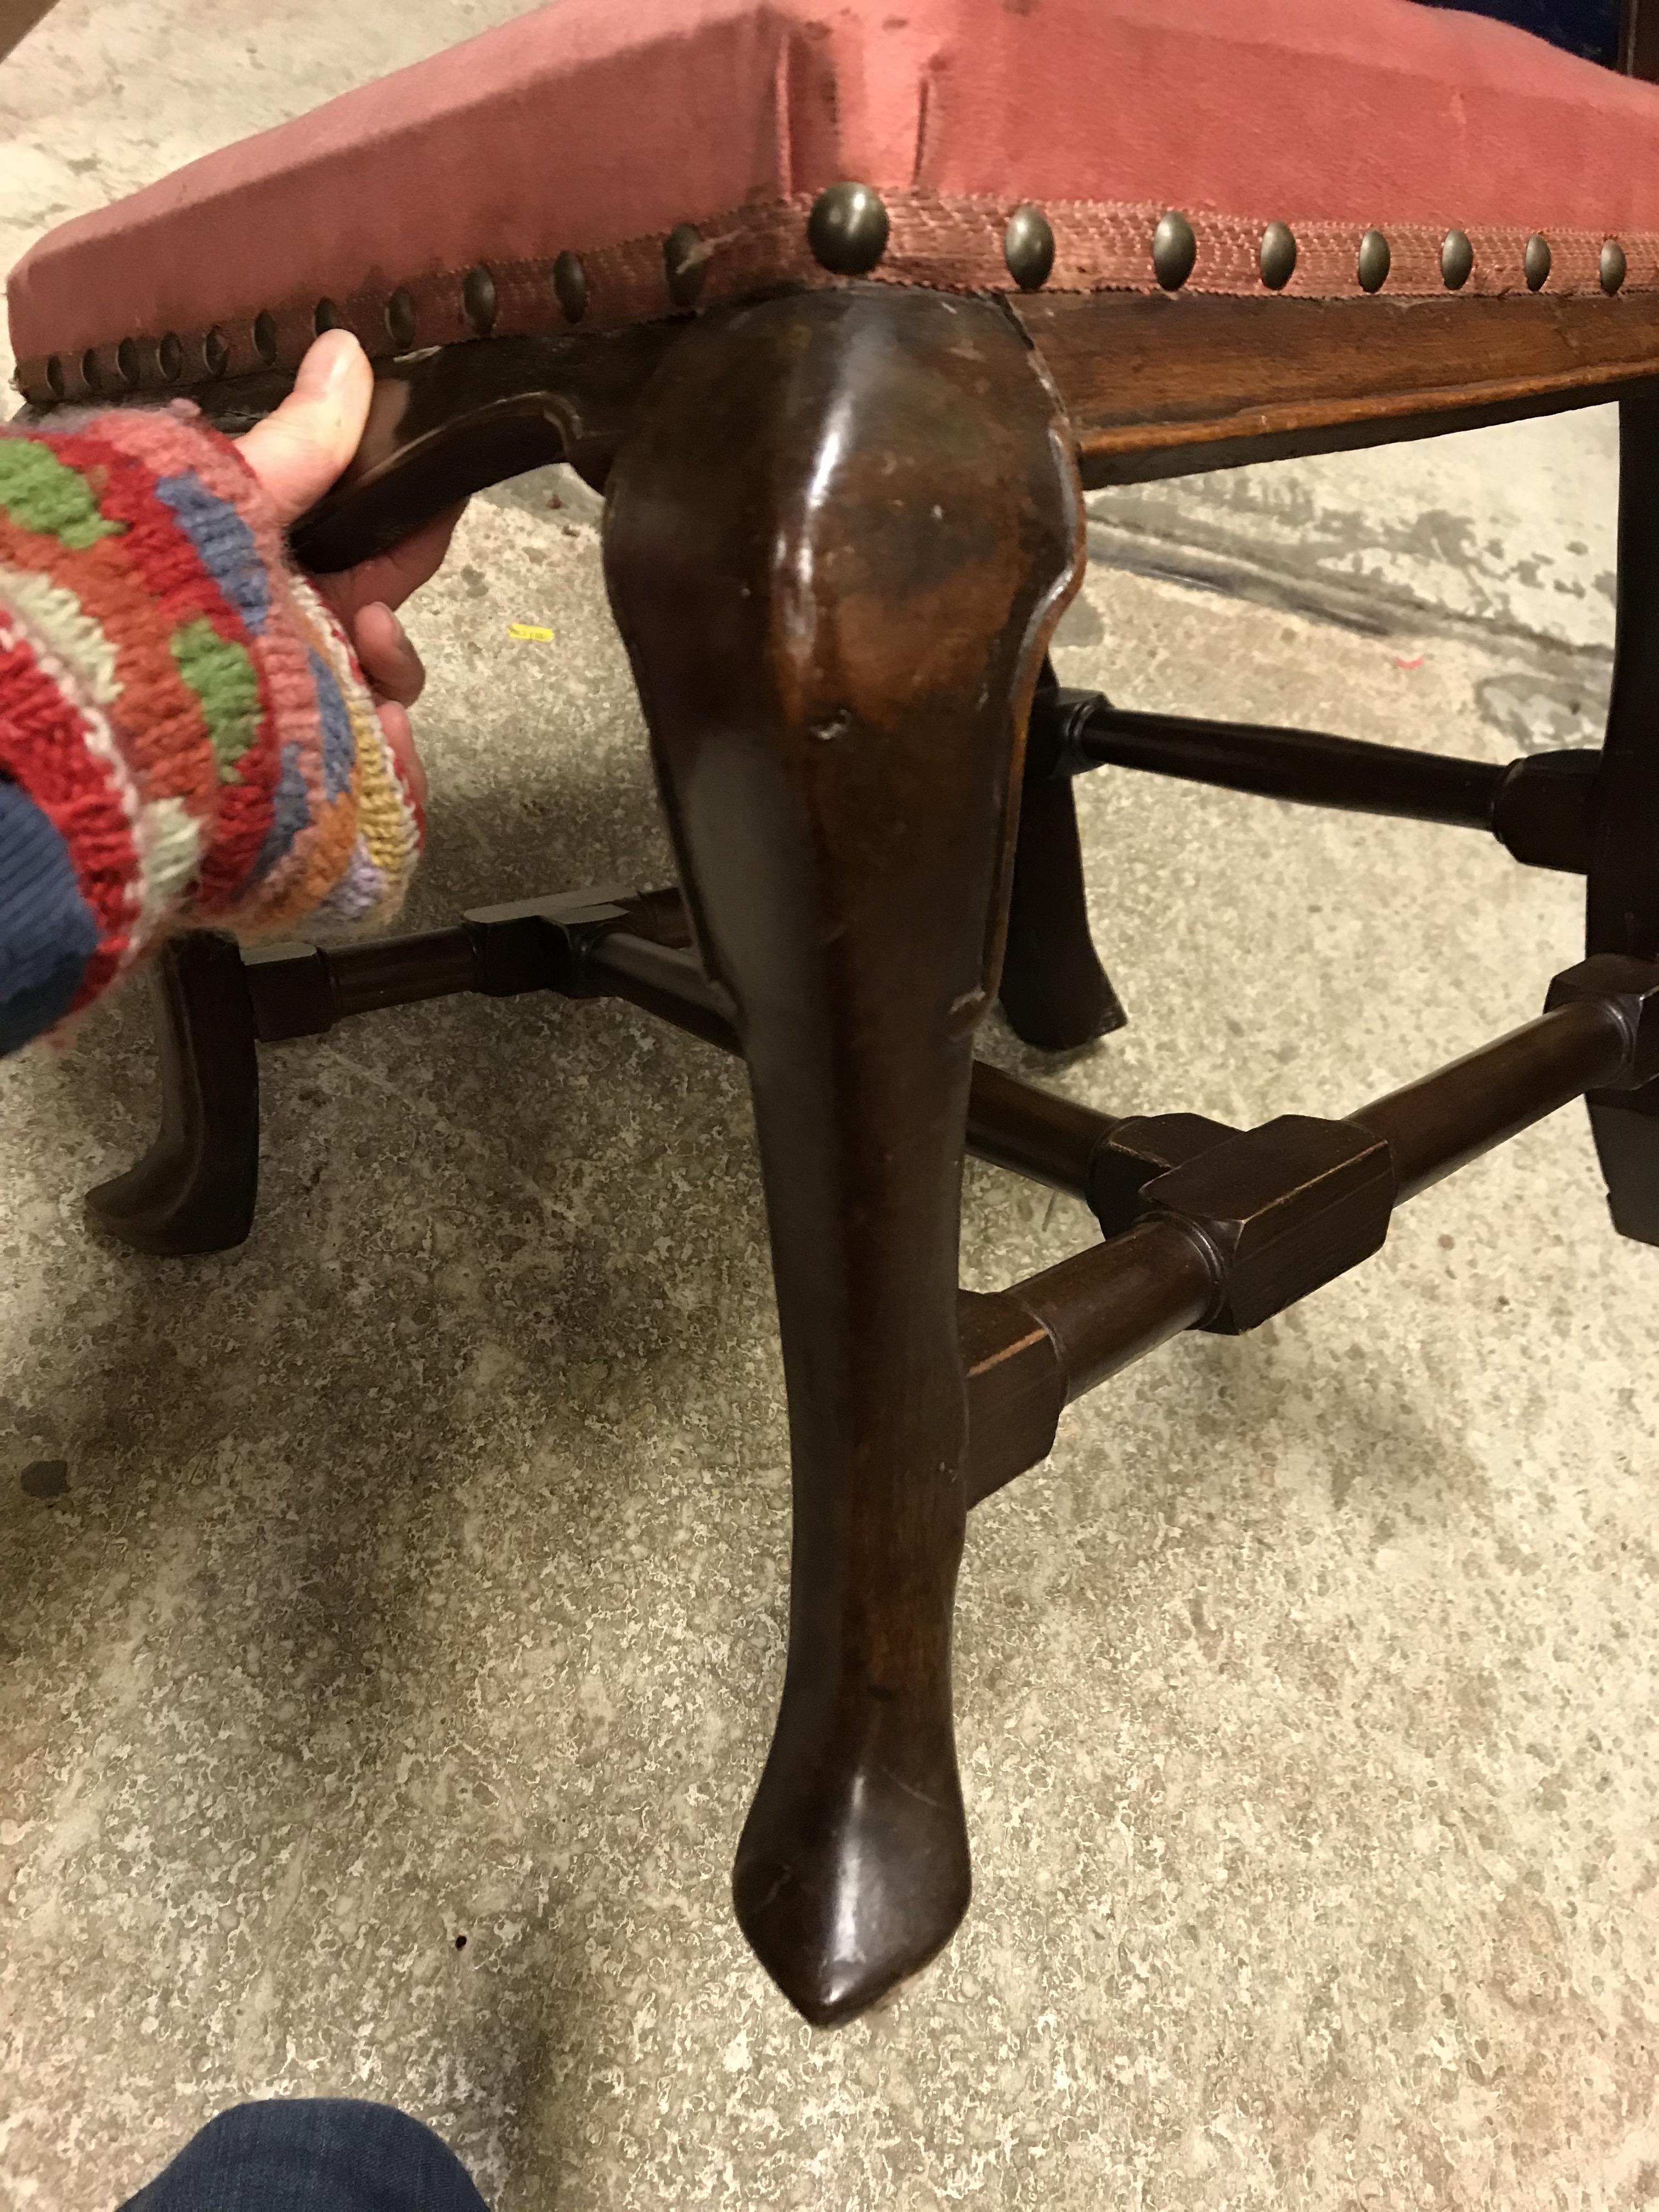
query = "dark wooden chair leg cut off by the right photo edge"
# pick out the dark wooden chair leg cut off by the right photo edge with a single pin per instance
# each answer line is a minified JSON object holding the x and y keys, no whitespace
{"x":1625,"y":857}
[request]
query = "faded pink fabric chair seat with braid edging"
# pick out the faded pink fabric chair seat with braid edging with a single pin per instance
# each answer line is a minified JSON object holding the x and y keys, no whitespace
{"x":598,"y":125}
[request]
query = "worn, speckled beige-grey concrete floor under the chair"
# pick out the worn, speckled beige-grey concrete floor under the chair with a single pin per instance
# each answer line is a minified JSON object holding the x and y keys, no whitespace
{"x":419,"y":1572}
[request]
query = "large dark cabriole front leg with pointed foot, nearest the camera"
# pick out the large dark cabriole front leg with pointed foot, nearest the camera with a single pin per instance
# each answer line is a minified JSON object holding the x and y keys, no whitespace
{"x":837,"y":545}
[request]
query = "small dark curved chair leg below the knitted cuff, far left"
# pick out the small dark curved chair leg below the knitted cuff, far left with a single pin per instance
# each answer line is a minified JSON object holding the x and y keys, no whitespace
{"x":196,"y":1187}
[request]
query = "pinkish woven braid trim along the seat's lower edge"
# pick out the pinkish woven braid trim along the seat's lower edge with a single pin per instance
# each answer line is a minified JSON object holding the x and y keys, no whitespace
{"x":935,"y":242}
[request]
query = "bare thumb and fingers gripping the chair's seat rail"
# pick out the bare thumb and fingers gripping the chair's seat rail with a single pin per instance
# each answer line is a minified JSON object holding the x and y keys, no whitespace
{"x":298,"y":452}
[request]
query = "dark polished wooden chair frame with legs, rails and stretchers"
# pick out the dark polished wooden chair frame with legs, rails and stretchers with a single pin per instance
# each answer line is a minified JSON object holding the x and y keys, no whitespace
{"x":877,"y":837}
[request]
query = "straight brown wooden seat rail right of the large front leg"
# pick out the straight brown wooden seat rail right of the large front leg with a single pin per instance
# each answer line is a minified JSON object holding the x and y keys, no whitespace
{"x":1169,"y":384}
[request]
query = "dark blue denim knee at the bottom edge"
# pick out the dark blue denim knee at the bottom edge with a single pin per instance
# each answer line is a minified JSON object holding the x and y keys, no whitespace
{"x":313,"y":2156}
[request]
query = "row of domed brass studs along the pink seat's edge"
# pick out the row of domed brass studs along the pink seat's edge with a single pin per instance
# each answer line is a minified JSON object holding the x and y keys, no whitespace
{"x":848,"y":236}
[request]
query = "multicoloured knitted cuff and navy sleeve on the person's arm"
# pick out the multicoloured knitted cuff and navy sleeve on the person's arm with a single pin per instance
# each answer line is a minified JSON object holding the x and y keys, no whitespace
{"x":185,"y":731}
